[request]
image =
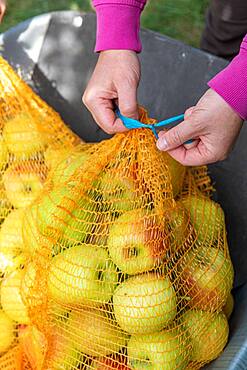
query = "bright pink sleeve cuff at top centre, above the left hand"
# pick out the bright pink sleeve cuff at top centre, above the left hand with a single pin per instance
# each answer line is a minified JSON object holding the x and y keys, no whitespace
{"x":118,"y":24}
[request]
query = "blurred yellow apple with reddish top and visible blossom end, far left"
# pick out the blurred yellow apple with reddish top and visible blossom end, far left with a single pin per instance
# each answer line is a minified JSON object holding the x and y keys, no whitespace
{"x":23,"y":182}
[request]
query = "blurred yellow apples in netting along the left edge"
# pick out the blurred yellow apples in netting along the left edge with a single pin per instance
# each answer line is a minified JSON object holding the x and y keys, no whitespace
{"x":26,"y":158}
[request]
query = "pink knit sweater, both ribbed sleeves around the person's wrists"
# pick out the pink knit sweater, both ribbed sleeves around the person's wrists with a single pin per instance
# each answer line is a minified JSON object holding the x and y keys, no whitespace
{"x":118,"y":26}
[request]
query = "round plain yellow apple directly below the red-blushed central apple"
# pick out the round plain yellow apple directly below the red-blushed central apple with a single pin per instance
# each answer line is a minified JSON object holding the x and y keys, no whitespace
{"x":145,"y":303}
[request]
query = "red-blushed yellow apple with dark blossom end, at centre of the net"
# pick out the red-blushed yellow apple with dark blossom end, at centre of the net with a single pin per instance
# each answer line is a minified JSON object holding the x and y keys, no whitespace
{"x":137,"y":242}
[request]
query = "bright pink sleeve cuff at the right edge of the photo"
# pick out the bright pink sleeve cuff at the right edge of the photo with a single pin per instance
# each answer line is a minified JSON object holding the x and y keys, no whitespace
{"x":231,"y":83}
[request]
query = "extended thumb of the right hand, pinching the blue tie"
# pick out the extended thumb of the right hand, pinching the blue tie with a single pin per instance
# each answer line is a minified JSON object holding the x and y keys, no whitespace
{"x":176,"y":136}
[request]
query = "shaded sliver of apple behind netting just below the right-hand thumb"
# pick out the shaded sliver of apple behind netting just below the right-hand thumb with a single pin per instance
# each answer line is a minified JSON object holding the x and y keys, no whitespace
{"x":177,"y":173}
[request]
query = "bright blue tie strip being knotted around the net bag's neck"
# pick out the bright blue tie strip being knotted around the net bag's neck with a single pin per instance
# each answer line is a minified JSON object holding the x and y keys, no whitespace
{"x":131,"y":123}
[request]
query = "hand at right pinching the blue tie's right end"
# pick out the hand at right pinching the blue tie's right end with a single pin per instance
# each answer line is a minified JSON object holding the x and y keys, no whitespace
{"x":213,"y":125}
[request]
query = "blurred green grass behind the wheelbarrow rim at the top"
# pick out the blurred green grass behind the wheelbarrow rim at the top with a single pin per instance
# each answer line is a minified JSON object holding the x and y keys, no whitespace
{"x":181,"y":19}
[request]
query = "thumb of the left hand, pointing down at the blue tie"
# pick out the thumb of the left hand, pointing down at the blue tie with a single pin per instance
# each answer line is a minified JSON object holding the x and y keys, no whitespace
{"x":127,"y":102}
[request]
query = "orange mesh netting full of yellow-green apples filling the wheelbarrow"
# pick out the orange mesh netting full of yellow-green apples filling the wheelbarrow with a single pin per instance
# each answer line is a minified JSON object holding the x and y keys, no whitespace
{"x":120,"y":260}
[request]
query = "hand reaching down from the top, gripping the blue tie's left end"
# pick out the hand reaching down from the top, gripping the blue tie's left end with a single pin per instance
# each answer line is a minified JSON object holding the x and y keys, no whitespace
{"x":115,"y":79}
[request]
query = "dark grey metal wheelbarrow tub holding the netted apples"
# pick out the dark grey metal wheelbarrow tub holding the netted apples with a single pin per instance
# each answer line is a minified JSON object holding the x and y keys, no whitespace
{"x":55,"y":53}
